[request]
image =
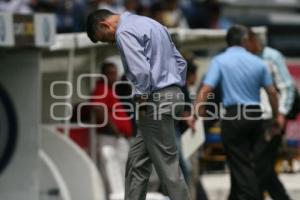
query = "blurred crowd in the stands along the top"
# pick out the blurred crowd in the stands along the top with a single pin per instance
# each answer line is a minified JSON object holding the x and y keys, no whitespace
{"x":71,"y":14}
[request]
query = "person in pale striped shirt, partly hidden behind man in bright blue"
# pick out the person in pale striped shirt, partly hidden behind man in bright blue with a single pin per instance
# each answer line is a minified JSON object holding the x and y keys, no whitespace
{"x":271,"y":142}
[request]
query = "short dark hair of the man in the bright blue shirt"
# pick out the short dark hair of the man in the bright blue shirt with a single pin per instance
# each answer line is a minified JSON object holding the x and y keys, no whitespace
{"x":236,"y":34}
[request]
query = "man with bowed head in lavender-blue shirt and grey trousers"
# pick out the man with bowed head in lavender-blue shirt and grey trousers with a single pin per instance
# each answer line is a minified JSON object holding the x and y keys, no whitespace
{"x":157,"y":71}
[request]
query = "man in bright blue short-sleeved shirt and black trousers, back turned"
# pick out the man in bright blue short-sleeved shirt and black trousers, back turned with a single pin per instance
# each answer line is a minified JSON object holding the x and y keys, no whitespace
{"x":241,"y":75}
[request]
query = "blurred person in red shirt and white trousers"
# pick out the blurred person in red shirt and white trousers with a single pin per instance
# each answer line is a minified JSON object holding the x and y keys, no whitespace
{"x":112,"y":145}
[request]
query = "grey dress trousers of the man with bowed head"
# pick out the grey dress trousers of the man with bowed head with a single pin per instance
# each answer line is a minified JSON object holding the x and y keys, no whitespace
{"x":155,"y":144}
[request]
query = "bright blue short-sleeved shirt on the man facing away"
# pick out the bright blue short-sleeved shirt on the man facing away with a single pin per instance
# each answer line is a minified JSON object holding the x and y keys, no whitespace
{"x":240,"y":75}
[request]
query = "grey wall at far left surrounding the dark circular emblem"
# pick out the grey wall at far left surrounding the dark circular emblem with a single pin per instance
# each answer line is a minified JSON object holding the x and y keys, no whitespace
{"x":19,"y":75}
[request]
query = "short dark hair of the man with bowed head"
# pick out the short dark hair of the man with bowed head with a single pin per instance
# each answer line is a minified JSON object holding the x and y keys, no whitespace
{"x":93,"y":18}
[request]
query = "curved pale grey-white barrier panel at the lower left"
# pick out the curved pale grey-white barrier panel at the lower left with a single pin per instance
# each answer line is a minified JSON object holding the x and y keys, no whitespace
{"x":77,"y":170}
